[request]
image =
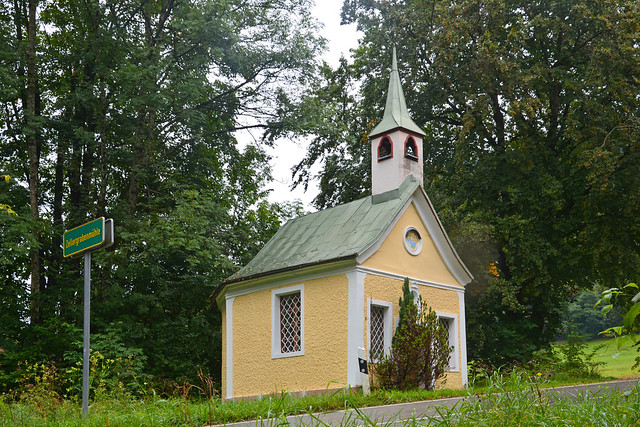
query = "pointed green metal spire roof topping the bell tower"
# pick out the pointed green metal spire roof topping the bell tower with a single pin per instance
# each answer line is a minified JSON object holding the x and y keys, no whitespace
{"x":396,"y":114}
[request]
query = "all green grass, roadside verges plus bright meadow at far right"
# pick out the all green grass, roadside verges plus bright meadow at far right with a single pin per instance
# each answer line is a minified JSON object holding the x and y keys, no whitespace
{"x":522,"y":405}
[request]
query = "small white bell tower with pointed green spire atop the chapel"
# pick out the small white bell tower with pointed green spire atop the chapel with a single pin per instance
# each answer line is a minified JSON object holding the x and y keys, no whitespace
{"x":396,"y":142}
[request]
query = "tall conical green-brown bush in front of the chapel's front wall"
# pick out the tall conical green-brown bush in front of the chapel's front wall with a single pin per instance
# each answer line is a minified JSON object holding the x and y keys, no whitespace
{"x":419,"y":351}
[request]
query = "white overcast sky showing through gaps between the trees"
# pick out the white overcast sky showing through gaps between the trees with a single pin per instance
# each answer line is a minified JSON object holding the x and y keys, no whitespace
{"x":285,"y":153}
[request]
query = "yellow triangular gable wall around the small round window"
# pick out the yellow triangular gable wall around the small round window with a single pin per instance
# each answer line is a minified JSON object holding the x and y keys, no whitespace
{"x":393,"y":257}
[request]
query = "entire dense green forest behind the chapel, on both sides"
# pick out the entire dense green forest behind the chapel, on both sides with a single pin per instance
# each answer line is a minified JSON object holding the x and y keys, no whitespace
{"x":128,"y":109}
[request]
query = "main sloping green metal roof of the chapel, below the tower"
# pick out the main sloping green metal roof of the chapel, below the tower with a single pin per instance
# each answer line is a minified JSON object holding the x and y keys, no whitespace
{"x":333,"y":234}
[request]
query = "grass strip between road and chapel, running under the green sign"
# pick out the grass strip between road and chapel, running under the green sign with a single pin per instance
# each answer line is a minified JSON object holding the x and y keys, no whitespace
{"x":43,"y":409}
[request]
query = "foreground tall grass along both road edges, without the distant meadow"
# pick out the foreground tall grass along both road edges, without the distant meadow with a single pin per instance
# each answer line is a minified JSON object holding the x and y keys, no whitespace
{"x":509,"y":399}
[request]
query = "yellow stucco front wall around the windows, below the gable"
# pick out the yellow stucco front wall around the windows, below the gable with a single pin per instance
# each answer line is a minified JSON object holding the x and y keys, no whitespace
{"x":441,"y":300}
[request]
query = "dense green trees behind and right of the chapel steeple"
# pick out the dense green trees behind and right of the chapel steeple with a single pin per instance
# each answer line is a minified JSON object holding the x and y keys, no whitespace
{"x":532,"y":153}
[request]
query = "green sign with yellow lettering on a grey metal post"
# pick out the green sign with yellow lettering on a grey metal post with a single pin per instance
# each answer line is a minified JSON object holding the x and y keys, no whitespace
{"x":84,"y":239}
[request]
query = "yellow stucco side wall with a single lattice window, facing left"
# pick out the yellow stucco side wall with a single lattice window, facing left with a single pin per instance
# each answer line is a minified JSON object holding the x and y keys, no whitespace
{"x":325,"y":341}
